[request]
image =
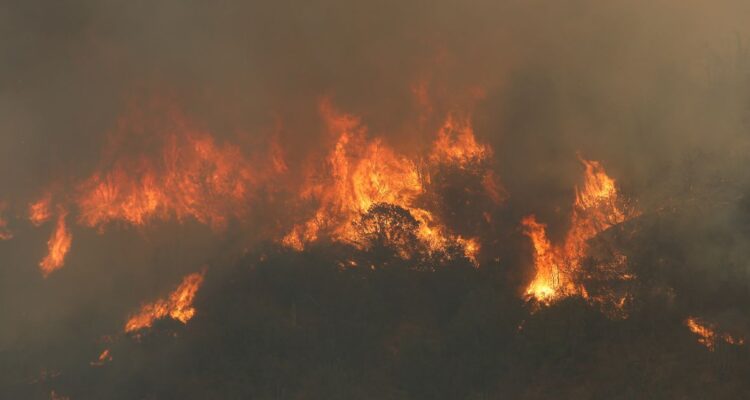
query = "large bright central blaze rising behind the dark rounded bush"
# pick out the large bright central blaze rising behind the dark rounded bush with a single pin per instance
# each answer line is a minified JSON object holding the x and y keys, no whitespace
{"x":361,"y":173}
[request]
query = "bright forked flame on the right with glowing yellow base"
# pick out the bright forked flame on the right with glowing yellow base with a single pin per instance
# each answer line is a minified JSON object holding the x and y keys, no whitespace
{"x":597,"y":207}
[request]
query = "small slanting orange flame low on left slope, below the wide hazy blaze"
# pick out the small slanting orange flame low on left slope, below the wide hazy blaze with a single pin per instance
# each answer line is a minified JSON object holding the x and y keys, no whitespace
{"x":179,"y":305}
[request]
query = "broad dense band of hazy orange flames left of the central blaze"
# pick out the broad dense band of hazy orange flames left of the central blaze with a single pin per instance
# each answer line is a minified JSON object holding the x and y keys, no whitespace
{"x":194,"y":178}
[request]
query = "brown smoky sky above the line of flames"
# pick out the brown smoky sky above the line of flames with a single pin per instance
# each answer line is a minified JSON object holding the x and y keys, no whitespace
{"x":638,"y":84}
